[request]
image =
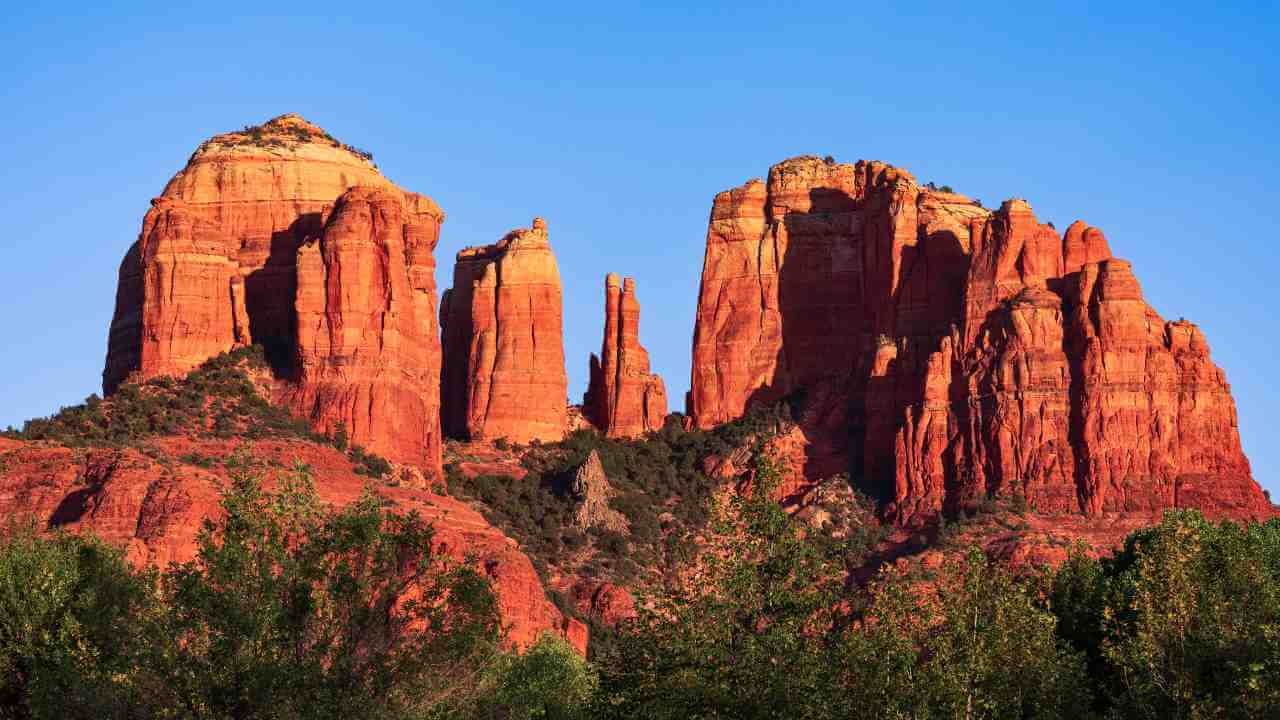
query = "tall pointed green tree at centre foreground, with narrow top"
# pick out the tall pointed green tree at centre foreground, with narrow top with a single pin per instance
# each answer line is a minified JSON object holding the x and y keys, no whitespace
{"x":740,"y":634}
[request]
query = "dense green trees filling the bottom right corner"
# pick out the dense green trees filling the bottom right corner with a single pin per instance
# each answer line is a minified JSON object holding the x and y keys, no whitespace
{"x":1183,"y":623}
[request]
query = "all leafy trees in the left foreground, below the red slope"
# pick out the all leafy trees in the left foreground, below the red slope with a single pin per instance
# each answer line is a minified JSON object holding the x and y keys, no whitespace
{"x":290,"y":610}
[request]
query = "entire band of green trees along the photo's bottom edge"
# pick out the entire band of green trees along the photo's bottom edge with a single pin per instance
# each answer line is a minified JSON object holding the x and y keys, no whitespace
{"x":296,"y":610}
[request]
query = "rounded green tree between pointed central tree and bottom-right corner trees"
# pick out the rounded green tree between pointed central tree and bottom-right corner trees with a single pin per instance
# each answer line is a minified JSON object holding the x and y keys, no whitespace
{"x":982,"y":649}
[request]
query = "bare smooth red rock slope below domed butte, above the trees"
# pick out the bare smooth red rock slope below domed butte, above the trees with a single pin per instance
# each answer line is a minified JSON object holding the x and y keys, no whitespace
{"x":153,"y":507}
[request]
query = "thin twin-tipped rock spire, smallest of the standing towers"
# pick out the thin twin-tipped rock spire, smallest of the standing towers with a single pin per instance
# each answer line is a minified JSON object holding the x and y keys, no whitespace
{"x":624,"y":399}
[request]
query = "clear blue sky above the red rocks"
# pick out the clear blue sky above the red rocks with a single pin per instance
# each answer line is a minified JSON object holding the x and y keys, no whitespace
{"x":1156,"y":124}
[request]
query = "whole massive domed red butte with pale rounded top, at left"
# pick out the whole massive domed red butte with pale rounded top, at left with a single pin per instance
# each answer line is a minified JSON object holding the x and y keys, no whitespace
{"x":282,"y":236}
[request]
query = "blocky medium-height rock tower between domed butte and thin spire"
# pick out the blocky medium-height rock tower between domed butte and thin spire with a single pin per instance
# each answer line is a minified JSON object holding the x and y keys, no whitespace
{"x":504,"y":372}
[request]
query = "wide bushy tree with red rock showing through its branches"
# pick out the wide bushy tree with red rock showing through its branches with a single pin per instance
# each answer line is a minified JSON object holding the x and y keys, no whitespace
{"x":291,"y":610}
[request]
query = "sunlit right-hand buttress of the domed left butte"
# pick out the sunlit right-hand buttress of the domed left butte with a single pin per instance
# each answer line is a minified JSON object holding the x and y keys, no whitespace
{"x":367,"y":336}
